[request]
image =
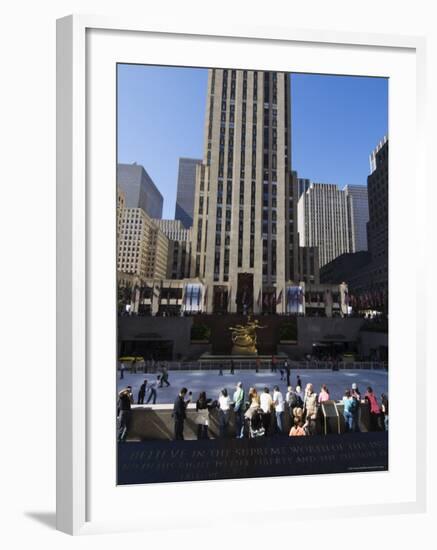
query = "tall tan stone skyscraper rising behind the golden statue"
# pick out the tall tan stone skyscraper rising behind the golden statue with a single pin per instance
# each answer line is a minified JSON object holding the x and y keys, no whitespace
{"x":244,"y":236}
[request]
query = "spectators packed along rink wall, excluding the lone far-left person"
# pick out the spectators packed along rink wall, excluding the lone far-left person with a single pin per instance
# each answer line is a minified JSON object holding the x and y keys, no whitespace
{"x":262,"y":413}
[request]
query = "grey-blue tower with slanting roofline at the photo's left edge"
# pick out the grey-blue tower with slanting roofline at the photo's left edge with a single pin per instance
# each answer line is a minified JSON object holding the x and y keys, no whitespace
{"x":139,"y":189}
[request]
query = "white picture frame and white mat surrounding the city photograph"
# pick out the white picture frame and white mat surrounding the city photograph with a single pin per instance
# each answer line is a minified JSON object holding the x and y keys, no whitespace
{"x":78,"y":295}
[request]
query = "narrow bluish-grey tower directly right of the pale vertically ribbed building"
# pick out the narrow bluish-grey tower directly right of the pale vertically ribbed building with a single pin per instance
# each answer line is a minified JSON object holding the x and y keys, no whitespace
{"x":358,"y":206}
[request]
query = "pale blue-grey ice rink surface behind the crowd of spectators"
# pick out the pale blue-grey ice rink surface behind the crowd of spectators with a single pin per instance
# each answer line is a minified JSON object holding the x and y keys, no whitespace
{"x":211,"y":382}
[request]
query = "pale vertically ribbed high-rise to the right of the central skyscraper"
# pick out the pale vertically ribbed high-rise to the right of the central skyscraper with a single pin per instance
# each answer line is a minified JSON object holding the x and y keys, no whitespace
{"x":324,"y":221}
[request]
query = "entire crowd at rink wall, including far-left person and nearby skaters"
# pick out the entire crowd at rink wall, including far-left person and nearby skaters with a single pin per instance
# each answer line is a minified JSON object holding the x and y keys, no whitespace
{"x":257,"y":413}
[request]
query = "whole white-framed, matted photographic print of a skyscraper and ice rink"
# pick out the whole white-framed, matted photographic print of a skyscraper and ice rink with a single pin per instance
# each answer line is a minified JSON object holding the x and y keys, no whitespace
{"x":232,"y":277}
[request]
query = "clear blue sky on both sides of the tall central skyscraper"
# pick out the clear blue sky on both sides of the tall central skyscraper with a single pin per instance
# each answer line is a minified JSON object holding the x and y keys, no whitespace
{"x":336,"y":122}
